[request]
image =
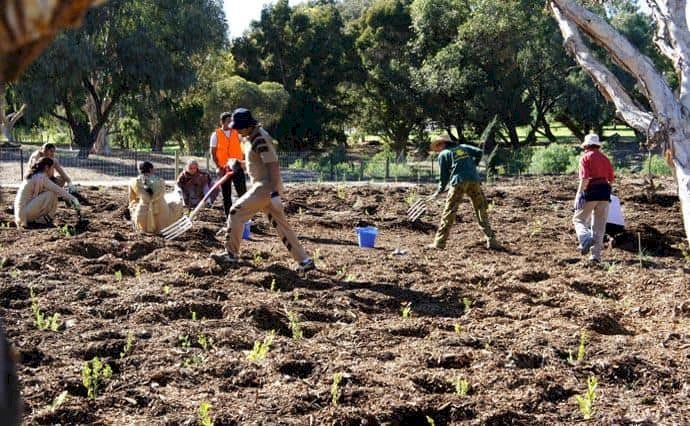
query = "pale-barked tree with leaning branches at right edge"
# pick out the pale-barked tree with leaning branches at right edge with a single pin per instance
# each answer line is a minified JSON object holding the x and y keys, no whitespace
{"x":669,"y":119}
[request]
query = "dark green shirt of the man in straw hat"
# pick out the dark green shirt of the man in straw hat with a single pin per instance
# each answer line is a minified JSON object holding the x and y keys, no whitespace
{"x":458,"y":163}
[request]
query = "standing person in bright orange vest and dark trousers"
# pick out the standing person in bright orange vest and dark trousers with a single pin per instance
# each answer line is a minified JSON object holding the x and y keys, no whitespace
{"x":226,"y":152}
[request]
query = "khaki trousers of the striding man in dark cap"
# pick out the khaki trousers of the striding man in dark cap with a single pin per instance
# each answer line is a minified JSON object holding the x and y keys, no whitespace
{"x":258,"y":199}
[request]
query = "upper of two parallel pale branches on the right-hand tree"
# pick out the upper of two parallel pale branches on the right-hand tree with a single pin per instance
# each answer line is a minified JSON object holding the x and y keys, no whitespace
{"x":654,"y":86}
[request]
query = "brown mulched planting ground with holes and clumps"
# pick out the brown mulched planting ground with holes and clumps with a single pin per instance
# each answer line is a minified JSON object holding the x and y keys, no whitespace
{"x":519,"y":312}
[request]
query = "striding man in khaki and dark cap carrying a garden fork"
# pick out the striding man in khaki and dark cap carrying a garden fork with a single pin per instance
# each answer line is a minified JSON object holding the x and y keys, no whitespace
{"x":263,"y":195}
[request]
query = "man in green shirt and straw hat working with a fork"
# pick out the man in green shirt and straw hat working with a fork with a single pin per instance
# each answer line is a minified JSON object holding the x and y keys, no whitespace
{"x":458,"y":164}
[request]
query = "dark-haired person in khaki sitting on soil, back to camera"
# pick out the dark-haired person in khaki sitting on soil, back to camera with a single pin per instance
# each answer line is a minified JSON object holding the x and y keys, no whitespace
{"x":149,"y":207}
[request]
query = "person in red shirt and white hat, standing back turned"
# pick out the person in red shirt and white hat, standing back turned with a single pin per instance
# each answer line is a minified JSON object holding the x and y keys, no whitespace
{"x":593,"y":197}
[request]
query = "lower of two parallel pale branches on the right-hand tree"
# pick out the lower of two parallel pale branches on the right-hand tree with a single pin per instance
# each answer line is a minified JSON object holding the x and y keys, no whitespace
{"x":607,"y":83}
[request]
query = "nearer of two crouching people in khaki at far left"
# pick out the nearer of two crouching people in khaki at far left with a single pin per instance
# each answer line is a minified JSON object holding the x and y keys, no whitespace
{"x":37,"y":197}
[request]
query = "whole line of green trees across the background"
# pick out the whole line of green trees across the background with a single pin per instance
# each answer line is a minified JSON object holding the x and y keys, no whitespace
{"x":142,"y":74}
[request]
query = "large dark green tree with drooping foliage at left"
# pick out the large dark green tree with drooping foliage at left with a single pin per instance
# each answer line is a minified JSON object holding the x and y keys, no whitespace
{"x":123,"y":49}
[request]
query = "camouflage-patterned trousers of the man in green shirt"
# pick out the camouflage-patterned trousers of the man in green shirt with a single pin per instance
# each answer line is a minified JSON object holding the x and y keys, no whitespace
{"x":479,"y":205}
